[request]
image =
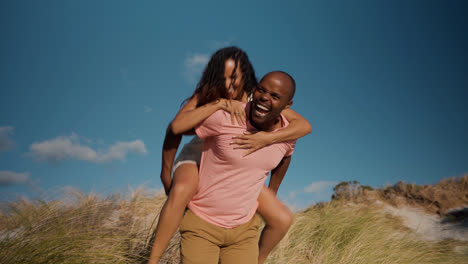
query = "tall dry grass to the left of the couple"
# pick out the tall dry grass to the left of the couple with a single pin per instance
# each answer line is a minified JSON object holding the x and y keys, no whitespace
{"x":83,"y":229}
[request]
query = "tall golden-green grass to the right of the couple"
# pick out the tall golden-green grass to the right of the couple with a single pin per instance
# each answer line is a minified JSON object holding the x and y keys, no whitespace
{"x":340,"y":232}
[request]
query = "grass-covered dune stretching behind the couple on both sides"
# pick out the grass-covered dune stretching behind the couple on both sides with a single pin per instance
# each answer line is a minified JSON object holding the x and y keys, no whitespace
{"x":87,"y":228}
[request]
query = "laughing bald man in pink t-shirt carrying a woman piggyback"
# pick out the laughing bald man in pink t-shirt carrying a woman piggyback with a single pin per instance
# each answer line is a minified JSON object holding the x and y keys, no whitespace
{"x":221,"y":224}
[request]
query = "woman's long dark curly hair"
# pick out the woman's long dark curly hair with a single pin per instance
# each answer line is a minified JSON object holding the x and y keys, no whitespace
{"x":212,"y":83}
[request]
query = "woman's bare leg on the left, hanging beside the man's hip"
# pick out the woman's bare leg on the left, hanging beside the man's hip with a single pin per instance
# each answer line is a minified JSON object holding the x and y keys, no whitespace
{"x":184,"y":186}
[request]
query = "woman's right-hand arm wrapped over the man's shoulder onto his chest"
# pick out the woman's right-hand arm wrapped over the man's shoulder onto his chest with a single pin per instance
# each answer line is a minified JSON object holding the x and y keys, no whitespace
{"x":297,"y":128}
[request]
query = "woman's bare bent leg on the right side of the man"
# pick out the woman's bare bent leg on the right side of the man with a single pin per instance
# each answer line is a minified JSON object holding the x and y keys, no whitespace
{"x":278,"y":218}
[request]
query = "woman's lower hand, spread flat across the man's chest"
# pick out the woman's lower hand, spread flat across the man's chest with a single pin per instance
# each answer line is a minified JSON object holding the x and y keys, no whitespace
{"x":252,"y":141}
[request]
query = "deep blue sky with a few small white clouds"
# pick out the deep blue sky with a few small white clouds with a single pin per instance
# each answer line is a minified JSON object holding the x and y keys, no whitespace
{"x":88,"y":88}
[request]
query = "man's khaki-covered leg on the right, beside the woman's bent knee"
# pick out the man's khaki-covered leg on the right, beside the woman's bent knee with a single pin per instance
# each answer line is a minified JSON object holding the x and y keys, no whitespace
{"x":244,"y":246}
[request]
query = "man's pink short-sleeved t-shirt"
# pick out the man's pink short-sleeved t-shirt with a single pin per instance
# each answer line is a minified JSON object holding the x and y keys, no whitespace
{"x":229,"y":184}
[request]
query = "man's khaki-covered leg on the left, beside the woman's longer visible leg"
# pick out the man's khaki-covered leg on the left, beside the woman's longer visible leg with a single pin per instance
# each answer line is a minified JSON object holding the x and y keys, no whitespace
{"x":199,"y":242}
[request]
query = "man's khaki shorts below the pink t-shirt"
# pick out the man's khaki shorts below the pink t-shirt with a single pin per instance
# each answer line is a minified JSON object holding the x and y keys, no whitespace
{"x":205,"y":243}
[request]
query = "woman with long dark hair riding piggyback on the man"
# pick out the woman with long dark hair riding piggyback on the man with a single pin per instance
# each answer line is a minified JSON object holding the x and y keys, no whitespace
{"x":227,"y":81}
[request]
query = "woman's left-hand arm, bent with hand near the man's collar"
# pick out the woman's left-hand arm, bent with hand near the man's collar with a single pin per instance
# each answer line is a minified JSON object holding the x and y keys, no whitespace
{"x":190,"y":115}
